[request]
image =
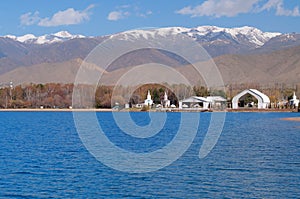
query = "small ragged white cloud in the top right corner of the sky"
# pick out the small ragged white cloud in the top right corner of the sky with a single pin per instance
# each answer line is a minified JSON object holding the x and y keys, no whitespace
{"x":280,"y":10}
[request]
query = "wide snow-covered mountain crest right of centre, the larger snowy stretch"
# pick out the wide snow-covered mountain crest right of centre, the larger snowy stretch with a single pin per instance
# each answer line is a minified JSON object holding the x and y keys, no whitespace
{"x":249,"y":36}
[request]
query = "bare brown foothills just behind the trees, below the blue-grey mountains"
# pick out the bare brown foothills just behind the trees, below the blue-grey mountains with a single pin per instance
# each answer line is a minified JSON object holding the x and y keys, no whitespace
{"x":268,"y":68}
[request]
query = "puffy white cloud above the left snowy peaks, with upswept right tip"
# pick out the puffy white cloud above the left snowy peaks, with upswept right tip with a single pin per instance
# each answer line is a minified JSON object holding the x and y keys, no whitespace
{"x":69,"y":16}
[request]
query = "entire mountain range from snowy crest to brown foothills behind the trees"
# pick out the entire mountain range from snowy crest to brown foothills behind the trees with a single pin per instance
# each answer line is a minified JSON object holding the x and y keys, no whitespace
{"x":243,"y":55}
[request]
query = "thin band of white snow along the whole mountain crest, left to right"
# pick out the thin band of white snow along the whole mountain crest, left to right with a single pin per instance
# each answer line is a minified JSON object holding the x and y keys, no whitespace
{"x":258,"y":37}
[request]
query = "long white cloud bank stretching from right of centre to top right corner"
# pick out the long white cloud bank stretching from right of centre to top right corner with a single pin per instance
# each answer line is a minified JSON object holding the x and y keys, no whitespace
{"x":232,"y":8}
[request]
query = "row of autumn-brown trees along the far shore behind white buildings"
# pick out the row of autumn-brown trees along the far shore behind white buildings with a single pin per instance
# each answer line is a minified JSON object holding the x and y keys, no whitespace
{"x":54,"y":95}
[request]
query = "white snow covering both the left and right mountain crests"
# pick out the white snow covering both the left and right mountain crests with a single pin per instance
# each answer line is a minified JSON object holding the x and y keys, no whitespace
{"x":249,"y":36}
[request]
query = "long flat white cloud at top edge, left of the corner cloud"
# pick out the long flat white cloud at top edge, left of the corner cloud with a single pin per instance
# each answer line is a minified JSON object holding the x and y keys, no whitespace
{"x":219,"y":8}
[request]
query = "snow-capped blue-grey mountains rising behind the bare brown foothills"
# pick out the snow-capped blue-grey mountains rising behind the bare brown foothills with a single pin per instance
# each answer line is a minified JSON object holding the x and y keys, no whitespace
{"x":29,"y":49}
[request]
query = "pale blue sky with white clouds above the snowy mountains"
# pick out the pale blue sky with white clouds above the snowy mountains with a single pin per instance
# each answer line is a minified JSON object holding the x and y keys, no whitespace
{"x":94,"y":18}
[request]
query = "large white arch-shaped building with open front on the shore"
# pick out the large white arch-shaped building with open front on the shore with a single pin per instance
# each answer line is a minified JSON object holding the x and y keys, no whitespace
{"x":263,"y":100}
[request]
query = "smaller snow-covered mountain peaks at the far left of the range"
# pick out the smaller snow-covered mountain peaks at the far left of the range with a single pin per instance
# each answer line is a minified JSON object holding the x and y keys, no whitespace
{"x":45,"y":39}
